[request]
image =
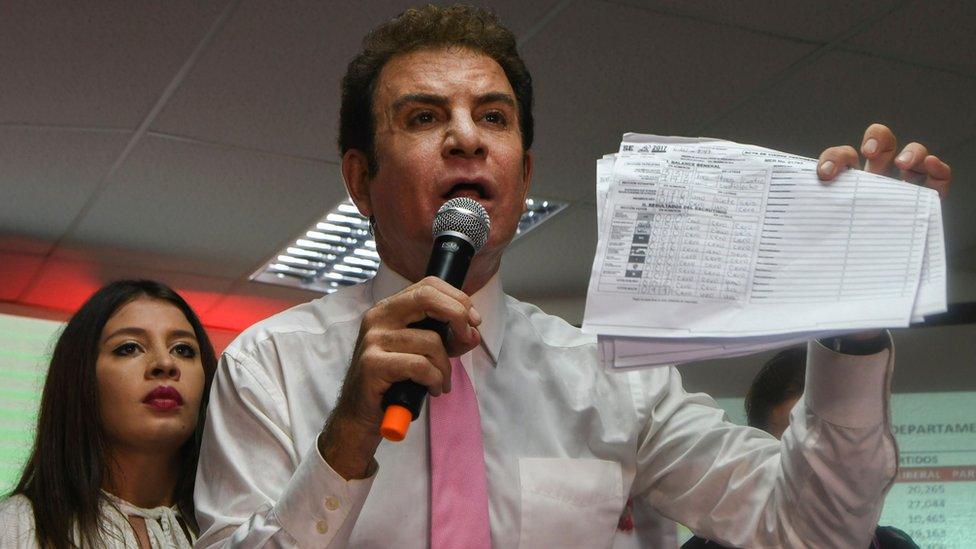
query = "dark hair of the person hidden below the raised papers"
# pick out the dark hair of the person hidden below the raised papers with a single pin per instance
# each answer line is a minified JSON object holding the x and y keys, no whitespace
{"x":781,"y":377}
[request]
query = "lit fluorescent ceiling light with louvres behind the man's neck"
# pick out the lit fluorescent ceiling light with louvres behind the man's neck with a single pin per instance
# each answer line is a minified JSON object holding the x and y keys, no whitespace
{"x":339,"y":250}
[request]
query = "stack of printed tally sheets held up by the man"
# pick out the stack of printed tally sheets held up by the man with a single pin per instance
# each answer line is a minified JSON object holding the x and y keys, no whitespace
{"x":711,"y":248}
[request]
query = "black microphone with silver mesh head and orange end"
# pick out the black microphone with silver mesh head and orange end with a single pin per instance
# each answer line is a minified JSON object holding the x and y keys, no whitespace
{"x":460,"y":230}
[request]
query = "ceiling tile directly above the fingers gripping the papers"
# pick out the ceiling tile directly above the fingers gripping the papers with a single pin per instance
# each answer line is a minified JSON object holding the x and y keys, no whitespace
{"x":834,"y":99}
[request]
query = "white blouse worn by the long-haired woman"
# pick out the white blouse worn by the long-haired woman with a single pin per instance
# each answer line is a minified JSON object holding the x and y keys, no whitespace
{"x":162,"y":525}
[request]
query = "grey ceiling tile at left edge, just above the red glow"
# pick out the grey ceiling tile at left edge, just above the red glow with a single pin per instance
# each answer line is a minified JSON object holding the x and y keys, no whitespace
{"x":48,"y":175}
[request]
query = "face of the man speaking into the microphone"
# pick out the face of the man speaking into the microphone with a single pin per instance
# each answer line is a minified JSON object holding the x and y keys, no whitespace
{"x":446,"y":126}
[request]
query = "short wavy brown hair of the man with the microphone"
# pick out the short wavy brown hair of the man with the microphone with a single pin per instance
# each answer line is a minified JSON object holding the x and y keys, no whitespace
{"x":428,"y":27}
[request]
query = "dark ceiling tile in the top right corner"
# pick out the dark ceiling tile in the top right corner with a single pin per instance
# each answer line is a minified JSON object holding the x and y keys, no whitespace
{"x":930,"y":33}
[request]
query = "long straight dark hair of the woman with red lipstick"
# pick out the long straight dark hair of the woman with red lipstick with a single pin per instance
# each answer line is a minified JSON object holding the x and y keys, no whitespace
{"x":68,"y":465}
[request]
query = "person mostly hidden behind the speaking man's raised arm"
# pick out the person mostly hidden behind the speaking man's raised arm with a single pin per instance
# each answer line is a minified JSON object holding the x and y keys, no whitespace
{"x":772,"y":396}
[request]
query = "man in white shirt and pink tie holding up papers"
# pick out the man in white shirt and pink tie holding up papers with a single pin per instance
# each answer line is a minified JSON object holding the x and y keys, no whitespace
{"x":438,"y":105}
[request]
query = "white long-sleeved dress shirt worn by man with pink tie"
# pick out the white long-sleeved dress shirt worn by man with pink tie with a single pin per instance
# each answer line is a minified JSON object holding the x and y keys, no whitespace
{"x":566,"y":442}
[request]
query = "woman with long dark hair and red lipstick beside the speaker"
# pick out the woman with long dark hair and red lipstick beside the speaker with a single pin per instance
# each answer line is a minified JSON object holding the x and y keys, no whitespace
{"x":119,"y":427}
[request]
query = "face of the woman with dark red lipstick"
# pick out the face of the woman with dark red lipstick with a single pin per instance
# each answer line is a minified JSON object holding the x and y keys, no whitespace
{"x":150,"y":377}
